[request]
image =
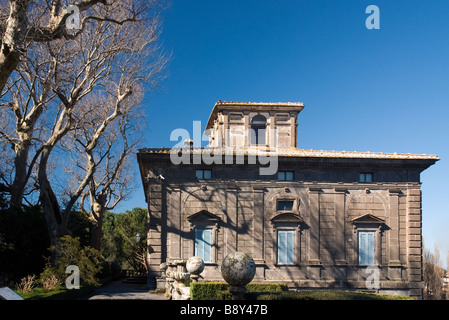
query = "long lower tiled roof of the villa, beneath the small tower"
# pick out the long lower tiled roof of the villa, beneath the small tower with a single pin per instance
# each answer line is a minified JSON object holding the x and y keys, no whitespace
{"x":303,"y":153}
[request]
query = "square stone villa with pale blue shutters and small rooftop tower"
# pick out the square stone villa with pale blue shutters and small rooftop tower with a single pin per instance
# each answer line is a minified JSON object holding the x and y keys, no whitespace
{"x":316,"y":219}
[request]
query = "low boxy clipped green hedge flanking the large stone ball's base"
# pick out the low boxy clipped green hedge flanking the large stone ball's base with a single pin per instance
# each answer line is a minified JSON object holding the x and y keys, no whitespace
{"x":219,"y":290}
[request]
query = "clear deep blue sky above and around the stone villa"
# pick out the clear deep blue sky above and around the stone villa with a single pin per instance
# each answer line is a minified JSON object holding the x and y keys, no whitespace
{"x":383,"y":90}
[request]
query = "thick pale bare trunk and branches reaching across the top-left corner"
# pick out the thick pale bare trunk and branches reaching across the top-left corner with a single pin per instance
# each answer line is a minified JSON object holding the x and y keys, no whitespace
{"x":25,"y":21}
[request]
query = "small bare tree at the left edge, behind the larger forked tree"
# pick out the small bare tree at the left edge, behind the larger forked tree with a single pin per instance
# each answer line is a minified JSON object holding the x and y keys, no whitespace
{"x":28,"y":94}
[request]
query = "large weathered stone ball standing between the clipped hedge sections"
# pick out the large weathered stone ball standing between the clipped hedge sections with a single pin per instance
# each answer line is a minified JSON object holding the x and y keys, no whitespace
{"x":238,"y":269}
